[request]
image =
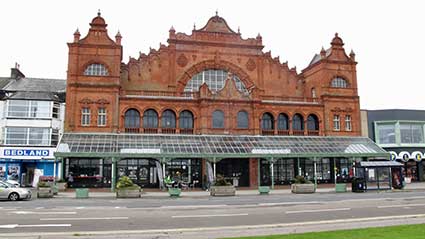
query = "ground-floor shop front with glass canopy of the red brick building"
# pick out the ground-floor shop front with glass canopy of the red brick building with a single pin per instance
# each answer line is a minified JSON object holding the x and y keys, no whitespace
{"x":196,"y":160}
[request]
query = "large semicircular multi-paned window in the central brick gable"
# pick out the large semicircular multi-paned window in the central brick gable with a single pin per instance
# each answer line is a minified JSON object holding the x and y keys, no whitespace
{"x":215,"y":79}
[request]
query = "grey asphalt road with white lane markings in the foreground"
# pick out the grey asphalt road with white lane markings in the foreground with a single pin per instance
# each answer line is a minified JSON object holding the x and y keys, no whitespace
{"x":213,"y":216}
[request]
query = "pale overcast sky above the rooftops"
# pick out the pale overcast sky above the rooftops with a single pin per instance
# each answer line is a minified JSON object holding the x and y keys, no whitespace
{"x":388,"y":37}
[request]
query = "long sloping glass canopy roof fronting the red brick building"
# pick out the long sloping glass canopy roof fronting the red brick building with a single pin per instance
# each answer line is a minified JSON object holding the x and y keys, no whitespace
{"x":214,"y":146}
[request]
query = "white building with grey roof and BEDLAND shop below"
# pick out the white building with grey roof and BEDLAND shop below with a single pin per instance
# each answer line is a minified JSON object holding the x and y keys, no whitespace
{"x":31,"y":122}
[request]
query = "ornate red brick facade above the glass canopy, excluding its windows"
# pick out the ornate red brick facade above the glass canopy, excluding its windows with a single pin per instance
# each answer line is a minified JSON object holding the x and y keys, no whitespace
{"x":157,"y":81}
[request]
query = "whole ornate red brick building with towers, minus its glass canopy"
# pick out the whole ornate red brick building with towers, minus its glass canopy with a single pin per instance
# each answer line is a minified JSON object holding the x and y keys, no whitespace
{"x":211,"y":82}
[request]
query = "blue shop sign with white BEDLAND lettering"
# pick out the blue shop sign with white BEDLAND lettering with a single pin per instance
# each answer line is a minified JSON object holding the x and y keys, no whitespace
{"x":27,"y":153}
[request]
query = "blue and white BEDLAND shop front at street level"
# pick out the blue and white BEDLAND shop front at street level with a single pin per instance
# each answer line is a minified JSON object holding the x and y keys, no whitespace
{"x":22,"y":164}
